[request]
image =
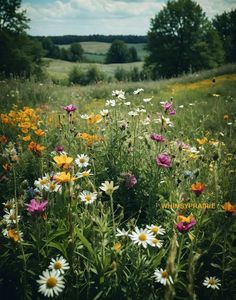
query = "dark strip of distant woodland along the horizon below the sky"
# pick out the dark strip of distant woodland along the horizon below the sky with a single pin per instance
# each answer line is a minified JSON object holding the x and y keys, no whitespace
{"x":69,"y":39}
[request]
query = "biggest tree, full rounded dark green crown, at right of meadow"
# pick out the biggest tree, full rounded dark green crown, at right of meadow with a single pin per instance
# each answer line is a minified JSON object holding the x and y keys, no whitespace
{"x":181,"y":39}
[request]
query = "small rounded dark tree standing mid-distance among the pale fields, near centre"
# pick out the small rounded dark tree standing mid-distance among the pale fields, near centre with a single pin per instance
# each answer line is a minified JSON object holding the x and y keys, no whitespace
{"x":118,"y":52}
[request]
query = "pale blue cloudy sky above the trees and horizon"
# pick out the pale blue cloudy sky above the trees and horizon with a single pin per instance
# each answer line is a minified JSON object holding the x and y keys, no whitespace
{"x":84,"y":17}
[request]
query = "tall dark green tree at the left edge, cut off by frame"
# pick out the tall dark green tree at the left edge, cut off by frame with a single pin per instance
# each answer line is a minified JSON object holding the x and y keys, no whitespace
{"x":19,"y":54}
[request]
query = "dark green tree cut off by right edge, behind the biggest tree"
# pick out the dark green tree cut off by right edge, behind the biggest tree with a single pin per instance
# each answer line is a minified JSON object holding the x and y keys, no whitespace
{"x":225,"y":24}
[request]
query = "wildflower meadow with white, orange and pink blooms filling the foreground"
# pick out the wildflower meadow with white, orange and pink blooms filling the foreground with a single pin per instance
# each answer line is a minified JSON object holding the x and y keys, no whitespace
{"x":118,"y":191}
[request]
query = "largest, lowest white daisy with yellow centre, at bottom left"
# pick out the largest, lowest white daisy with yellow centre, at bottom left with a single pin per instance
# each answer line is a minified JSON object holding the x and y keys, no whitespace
{"x":51,"y":283}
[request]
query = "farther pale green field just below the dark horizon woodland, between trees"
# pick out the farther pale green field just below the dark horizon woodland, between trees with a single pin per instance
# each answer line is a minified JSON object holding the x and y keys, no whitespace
{"x":96,"y":51}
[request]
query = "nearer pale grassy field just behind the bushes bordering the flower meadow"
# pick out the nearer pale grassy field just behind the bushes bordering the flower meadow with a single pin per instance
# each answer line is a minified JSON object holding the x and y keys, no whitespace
{"x":59,"y":69}
